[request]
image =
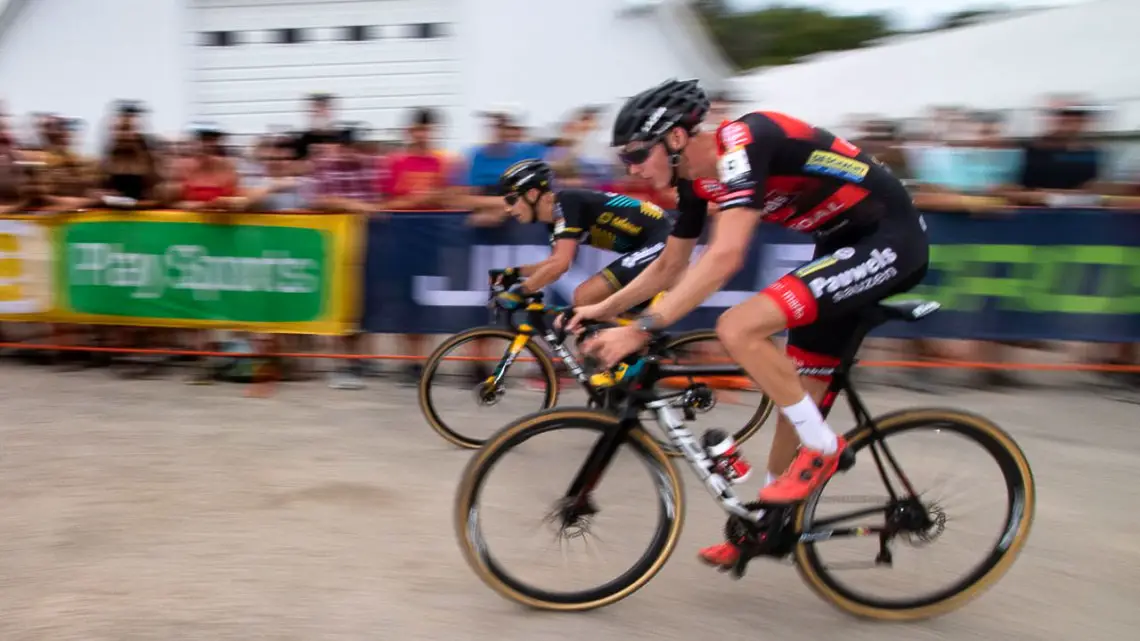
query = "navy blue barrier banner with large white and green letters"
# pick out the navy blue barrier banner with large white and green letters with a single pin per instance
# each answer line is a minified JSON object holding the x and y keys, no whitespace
{"x":1024,"y":275}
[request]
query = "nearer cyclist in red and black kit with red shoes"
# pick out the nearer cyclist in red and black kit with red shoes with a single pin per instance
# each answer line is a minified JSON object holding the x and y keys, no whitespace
{"x":872,"y":244}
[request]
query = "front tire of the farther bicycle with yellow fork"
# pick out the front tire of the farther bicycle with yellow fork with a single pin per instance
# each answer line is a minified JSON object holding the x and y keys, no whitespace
{"x":550,"y":397}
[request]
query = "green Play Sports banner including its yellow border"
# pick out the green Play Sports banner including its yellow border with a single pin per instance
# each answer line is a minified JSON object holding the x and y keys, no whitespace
{"x":274,"y":273}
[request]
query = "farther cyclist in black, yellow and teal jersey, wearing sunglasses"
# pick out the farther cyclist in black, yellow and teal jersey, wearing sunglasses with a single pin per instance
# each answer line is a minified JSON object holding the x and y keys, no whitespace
{"x":636,"y":230}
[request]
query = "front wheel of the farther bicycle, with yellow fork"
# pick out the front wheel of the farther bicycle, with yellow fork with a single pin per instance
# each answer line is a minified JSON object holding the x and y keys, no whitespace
{"x":483,"y":394}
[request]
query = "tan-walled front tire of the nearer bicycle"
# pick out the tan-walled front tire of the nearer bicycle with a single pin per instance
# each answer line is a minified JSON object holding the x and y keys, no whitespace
{"x":671,"y":491}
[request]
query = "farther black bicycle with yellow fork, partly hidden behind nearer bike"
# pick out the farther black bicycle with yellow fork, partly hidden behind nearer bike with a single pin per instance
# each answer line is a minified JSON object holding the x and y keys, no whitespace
{"x":532,"y":343}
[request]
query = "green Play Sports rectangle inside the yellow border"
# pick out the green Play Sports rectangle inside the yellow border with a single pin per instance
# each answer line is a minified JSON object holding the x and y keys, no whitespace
{"x":196,"y":272}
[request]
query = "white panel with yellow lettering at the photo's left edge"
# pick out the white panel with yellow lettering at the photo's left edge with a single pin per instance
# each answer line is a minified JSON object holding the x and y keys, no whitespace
{"x":27,"y":285}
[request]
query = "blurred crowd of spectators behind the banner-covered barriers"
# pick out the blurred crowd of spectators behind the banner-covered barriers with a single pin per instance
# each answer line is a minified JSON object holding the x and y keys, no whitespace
{"x":959,"y":161}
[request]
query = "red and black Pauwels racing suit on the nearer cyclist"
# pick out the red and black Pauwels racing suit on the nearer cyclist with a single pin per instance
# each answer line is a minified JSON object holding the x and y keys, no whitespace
{"x":870,"y":240}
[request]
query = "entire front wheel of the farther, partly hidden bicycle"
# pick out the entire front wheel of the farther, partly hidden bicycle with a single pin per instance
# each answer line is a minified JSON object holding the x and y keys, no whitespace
{"x":465,"y":405}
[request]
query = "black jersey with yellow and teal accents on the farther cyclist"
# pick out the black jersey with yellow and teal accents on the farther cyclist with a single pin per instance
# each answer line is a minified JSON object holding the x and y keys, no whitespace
{"x":608,"y":221}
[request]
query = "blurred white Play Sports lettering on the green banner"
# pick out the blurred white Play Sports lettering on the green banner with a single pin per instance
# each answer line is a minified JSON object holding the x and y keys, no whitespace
{"x":190,"y":267}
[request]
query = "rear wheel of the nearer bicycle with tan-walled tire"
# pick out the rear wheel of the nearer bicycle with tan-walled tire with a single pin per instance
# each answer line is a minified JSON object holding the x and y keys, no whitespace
{"x":999,"y":549}
